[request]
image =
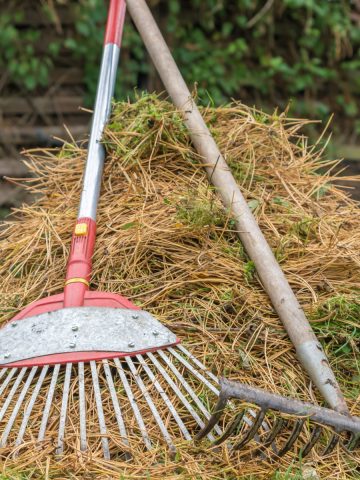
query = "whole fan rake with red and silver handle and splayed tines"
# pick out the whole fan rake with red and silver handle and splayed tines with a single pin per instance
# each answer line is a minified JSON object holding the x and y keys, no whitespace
{"x":82,"y":347}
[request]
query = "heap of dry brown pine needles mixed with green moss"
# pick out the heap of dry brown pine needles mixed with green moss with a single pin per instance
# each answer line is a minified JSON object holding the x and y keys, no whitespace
{"x":166,"y":242}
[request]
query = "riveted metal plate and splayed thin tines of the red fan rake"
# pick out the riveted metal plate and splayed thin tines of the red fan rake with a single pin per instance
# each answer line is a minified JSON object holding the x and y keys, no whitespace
{"x":74,"y":382}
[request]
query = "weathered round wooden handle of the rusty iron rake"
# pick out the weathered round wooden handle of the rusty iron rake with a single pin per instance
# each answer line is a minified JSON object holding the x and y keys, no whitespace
{"x":309,"y":350}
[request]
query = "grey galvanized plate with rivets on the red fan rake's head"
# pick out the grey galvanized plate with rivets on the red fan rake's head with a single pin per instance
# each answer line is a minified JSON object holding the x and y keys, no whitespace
{"x":82,"y":329}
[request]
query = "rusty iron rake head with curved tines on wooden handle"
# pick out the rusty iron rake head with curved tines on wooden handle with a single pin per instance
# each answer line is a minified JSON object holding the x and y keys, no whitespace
{"x":329,"y":427}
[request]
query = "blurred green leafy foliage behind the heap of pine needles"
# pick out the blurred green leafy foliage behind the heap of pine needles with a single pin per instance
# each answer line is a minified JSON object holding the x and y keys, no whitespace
{"x":263,"y":52}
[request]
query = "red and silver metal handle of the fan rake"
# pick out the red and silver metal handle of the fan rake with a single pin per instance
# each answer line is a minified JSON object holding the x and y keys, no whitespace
{"x":83,"y":240}
